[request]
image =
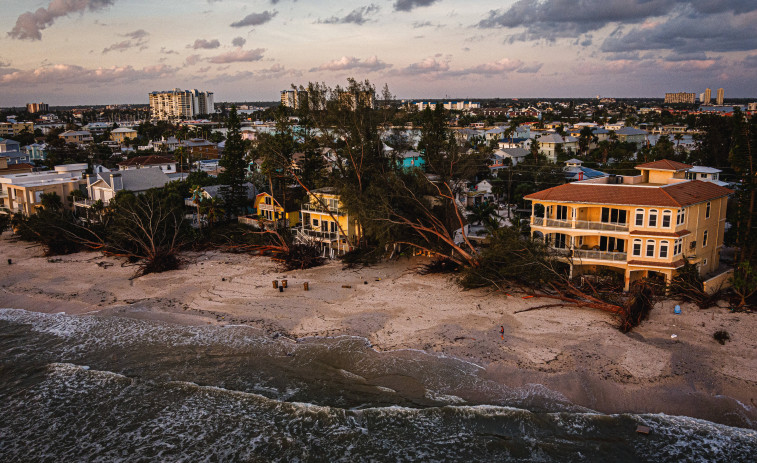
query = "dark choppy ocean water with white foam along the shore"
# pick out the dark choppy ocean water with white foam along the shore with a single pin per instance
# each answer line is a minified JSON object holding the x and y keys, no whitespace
{"x":115,"y":389}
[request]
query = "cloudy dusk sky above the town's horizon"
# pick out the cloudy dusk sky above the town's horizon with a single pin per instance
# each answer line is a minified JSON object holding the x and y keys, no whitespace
{"x":75,"y":52}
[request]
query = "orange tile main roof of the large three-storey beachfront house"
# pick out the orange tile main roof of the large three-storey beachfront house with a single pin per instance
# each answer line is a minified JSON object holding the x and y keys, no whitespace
{"x":674,"y":195}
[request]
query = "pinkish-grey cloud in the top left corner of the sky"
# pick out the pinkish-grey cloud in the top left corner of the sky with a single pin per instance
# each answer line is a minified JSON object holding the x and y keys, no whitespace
{"x":30,"y":25}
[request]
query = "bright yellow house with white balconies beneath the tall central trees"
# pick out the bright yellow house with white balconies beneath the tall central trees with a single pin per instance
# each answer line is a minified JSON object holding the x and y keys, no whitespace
{"x":324,"y":219}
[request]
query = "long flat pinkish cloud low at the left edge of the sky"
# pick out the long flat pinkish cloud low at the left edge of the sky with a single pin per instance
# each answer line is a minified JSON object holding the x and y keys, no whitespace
{"x":70,"y":74}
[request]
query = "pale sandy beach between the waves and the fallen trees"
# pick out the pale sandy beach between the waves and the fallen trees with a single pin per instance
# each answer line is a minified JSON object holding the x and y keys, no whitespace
{"x":576,"y":352}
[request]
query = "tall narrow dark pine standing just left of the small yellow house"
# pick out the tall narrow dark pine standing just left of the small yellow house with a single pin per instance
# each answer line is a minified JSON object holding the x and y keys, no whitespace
{"x":233,"y":161}
